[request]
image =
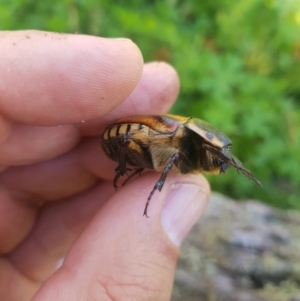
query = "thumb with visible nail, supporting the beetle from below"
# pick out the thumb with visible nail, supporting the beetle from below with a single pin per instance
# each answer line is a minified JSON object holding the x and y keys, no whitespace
{"x":123,"y":255}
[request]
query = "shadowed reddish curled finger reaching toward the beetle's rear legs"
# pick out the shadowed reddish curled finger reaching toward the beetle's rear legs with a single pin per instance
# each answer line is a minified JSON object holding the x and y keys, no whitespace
{"x":53,"y":179}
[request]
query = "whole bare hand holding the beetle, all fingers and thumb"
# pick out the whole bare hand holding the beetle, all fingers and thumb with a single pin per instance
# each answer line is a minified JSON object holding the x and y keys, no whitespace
{"x":58,"y":92}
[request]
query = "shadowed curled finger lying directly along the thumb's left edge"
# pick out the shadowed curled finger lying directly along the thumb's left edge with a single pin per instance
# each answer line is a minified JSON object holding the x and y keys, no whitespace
{"x":56,"y":228}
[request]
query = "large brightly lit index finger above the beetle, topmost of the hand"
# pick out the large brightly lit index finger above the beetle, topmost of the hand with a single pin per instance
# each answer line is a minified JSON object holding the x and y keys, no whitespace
{"x":64,"y":78}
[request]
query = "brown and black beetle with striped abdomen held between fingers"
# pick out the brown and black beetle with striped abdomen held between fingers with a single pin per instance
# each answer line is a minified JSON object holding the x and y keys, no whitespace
{"x":168,"y":143}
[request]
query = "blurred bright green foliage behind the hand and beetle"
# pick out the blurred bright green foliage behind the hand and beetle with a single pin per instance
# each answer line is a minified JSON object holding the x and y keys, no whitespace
{"x":239,"y":65}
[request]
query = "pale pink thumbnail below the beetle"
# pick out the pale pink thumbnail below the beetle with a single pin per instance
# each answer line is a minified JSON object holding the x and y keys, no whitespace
{"x":182,"y":208}
